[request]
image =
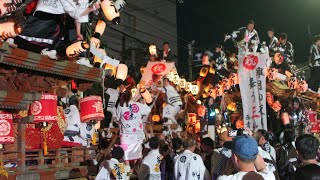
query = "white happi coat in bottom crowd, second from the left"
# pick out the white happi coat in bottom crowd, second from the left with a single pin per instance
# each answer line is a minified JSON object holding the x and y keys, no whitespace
{"x":153,"y":161}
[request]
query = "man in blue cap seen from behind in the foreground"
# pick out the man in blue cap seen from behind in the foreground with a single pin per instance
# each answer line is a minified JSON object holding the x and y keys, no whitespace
{"x":246,"y":159}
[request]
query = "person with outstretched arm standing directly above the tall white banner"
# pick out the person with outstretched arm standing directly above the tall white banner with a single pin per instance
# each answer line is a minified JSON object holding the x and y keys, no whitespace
{"x":246,"y":37}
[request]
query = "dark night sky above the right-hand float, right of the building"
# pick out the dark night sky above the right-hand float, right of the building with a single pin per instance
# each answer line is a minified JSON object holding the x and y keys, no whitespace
{"x":206,"y":21}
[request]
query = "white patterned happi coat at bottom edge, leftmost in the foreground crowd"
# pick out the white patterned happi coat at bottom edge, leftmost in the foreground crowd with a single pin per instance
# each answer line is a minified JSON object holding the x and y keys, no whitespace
{"x":119,"y":170}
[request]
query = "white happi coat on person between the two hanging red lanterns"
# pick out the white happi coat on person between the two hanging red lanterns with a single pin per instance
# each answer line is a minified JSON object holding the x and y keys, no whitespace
{"x":85,"y":130}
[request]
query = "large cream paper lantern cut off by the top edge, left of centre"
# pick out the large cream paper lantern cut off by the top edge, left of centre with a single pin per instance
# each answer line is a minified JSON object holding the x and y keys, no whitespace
{"x":110,"y":11}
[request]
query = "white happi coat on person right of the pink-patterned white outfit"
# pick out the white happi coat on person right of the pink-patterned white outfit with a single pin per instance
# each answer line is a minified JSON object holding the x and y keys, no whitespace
{"x":174,"y":102}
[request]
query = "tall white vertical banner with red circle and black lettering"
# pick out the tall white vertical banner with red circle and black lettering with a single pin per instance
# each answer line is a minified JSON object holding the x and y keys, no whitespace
{"x":252,"y":77}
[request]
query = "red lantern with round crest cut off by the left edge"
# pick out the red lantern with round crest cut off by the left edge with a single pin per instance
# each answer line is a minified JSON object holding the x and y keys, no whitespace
{"x":6,"y":128}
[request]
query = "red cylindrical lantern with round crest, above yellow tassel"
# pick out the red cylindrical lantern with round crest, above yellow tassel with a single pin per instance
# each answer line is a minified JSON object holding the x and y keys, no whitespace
{"x":45,"y":110}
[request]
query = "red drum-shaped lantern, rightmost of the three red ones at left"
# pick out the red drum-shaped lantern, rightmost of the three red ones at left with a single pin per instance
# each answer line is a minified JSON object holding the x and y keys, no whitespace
{"x":91,"y":108}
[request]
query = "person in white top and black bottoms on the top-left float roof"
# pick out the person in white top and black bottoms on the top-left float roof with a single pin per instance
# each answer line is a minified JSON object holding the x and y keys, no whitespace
{"x":44,"y":29}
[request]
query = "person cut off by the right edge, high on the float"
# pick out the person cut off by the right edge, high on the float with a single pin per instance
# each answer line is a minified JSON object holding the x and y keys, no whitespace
{"x":314,"y":61}
